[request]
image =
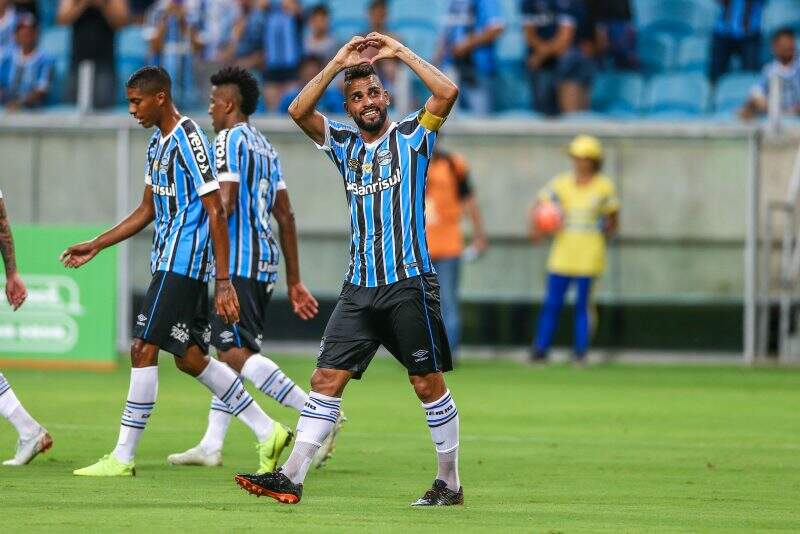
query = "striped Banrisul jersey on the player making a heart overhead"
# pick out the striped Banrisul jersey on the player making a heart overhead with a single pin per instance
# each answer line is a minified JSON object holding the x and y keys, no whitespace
{"x":385,"y":185}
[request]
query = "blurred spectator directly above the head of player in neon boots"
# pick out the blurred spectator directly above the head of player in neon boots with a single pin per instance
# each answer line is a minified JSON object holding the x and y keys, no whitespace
{"x":171,"y":36}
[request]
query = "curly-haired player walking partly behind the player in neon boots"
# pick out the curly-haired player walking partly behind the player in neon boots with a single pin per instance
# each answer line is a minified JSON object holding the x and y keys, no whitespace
{"x":253,"y":189}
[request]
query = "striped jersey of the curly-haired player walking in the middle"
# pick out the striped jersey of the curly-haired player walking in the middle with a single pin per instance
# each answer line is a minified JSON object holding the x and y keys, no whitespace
{"x":244,"y":155}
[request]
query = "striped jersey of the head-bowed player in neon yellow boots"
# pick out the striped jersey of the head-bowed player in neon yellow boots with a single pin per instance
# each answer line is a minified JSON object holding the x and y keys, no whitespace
{"x":180,"y":171}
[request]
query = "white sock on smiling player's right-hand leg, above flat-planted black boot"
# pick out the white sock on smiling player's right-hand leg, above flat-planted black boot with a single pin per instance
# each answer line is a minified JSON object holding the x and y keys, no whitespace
{"x":442,"y":416}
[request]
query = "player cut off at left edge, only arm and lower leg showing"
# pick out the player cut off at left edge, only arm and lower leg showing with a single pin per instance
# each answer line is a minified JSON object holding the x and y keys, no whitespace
{"x":33,"y":438}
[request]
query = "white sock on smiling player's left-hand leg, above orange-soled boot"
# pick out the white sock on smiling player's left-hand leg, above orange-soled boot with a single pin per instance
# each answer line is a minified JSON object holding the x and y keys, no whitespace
{"x":315,"y":423}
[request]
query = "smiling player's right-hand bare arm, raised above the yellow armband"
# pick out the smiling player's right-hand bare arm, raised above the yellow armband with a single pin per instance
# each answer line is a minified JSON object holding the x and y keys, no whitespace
{"x":443,"y":91}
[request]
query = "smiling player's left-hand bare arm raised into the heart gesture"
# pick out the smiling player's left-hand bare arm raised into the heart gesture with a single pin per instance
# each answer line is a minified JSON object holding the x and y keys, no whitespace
{"x":303,"y":109}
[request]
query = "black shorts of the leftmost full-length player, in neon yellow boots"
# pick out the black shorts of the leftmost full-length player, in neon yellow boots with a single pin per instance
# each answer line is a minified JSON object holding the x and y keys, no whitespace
{"x":174,"y":315}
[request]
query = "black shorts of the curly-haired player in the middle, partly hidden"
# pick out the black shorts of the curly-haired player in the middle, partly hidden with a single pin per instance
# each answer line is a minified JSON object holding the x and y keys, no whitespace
{"x":253,"y":298}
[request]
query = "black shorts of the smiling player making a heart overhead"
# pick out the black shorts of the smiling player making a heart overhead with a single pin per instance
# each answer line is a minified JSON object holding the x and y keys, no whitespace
{"x":405,"y":317}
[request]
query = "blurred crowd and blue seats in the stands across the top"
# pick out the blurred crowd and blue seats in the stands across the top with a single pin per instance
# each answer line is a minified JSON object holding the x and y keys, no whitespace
{"x":566,"y":56}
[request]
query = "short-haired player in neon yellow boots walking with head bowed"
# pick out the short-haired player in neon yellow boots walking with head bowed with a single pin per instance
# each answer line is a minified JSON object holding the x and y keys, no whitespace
{"x":181,"y":195}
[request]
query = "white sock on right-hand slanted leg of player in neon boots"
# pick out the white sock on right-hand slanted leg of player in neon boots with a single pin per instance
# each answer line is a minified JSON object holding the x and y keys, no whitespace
{"x":228,"y":388}
